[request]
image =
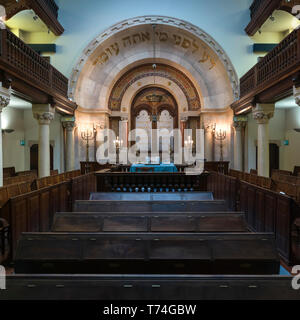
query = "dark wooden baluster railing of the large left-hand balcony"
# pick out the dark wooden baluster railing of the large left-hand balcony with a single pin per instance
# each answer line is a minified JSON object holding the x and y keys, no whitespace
{"x":23,"y":61}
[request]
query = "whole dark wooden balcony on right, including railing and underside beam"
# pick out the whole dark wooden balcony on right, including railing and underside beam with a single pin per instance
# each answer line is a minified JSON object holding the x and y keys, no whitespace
{"x":272,"y":77}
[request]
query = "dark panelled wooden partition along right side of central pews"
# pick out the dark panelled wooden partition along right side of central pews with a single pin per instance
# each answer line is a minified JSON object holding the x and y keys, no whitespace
{"x":266,"y":210}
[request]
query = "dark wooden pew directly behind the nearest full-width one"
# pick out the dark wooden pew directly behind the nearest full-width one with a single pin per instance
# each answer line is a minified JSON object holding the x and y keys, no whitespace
{"x":147,"y":253}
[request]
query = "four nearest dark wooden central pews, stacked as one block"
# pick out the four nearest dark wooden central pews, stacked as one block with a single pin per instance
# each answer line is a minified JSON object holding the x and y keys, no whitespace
{"x":138,"y":264}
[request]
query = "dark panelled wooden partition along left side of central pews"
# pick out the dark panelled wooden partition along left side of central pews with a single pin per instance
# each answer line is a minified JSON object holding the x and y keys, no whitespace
{"x":33,"y":211}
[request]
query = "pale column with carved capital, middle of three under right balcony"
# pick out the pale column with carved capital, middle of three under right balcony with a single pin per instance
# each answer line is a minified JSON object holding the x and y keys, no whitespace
{"x":262,"y":113}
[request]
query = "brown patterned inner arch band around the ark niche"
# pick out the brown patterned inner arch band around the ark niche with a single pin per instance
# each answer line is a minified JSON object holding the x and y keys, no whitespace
{"x":162,"y":71}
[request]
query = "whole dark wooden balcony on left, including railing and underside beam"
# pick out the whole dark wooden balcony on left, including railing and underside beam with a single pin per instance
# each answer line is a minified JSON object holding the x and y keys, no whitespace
{"x":31,"y":75}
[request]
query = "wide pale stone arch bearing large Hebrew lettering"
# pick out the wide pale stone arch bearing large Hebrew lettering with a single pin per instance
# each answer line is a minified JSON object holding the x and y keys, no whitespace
{"x":181,"y":44}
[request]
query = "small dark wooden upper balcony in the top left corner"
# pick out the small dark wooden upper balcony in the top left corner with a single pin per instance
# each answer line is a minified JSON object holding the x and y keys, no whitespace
{"x":47,"y":10}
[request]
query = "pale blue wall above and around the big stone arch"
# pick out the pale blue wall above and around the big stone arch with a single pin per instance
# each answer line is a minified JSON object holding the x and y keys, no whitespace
{"x":223,"y":20}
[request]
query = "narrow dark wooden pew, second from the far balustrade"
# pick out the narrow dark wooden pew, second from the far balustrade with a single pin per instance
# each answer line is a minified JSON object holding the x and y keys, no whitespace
{"x":149,"y":206}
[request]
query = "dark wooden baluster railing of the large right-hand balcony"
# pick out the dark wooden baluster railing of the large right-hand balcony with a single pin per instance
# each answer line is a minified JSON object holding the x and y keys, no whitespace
{"x":284,"y":58}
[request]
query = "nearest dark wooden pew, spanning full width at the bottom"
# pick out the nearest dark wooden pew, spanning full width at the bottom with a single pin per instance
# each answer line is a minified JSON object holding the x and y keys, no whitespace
{"x":150,"y":287}
